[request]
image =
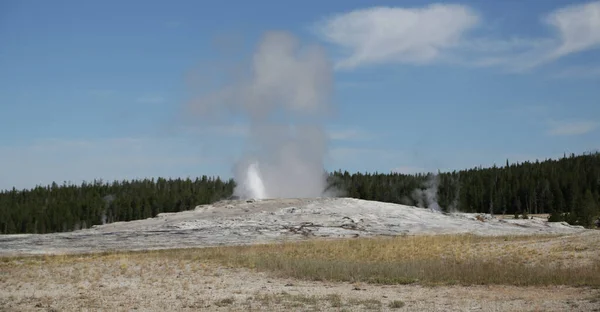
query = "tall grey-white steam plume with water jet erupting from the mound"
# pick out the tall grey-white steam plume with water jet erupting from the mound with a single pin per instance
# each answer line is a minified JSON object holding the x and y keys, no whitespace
{"x":285,"y":98}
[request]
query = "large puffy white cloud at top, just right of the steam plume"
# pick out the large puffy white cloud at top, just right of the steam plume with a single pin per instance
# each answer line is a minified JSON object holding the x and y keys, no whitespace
{"x":406,"y":35}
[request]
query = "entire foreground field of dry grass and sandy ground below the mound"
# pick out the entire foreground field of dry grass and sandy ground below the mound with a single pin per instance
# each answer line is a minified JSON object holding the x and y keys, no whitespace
{"x":406,"y":273}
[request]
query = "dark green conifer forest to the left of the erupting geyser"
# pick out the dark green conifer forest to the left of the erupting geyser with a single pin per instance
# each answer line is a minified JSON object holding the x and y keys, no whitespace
{"x":67,"y":207}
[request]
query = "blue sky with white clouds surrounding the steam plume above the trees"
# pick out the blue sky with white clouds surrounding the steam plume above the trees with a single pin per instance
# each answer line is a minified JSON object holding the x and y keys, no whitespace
{"x":98,"y":89}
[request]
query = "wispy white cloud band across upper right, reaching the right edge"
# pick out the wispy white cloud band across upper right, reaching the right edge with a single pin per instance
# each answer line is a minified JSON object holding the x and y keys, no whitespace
{"x":443,"y":33}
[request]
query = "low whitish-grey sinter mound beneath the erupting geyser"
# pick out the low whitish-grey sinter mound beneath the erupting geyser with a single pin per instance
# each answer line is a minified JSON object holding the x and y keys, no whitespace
{"x":247,"y":222}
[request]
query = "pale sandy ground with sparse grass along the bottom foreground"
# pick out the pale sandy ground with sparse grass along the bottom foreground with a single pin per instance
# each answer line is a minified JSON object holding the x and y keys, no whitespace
{"x":136,"y":283}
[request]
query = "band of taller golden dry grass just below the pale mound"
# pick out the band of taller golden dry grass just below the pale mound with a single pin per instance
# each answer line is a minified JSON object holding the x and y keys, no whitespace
{"x":430,"y":260}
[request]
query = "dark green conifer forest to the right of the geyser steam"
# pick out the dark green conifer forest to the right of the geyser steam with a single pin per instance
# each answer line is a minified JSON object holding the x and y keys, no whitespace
{"x":567,"y":188}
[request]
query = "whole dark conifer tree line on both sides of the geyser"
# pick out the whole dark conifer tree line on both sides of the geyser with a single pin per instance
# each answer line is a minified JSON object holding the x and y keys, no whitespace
{"x":567,"y":188}
